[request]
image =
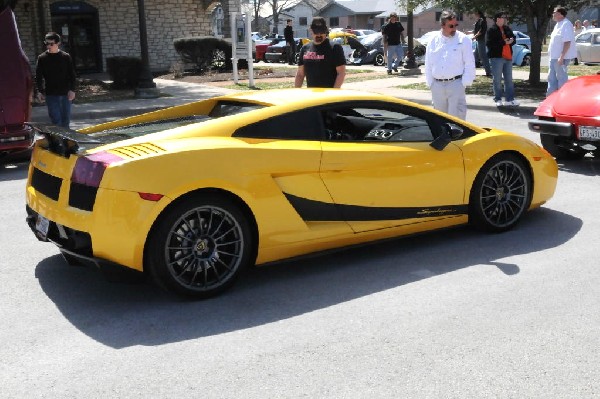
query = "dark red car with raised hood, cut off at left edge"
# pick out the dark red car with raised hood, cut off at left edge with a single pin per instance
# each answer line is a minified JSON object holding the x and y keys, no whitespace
{"x":16,"y":138}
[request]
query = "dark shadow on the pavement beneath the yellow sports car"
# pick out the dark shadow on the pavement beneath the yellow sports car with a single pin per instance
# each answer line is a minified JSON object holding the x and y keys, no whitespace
{"x":121,"y":315}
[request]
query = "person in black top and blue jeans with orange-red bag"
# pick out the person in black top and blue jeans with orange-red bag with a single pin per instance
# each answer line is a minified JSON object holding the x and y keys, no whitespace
{"x":500,"y":39}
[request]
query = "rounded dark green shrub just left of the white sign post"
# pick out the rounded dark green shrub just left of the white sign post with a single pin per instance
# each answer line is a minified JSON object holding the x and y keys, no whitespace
{"x":204,"y":52}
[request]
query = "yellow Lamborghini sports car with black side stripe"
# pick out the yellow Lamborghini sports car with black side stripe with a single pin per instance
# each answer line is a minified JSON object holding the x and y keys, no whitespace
{"x":194,"y":194}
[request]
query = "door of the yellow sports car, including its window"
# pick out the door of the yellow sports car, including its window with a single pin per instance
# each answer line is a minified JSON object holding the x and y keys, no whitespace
{"x":381,"y":171}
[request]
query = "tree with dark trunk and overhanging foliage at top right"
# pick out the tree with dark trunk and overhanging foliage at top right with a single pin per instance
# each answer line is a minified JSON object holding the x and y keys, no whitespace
{"x":536,"y":14}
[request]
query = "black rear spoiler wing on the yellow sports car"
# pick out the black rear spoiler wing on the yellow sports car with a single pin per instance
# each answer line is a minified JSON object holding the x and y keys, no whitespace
{"x":61,"y":140}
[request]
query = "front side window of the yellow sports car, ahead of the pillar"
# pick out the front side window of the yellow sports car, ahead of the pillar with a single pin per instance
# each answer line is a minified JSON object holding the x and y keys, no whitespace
{"x":377,"y":122}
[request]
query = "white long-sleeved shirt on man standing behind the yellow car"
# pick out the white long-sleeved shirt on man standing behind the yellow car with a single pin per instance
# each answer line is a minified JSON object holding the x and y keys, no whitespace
{"x":447,"y":57}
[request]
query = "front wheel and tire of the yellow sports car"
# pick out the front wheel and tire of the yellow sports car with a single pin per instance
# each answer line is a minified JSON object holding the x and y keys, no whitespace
{"x":501,"y":193}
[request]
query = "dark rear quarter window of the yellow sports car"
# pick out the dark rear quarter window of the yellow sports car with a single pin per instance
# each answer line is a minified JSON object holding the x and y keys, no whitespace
{"x":298,"y":125}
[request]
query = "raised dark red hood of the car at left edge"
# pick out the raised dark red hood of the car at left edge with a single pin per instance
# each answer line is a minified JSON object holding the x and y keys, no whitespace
{"x":15,"y":74}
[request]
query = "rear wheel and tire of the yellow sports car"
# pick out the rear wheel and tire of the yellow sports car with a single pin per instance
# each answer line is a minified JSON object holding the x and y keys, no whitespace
{"x":200,"y":246}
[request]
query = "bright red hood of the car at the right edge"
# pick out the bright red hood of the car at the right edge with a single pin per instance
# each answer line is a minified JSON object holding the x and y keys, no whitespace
{"x":578,"y":97}
